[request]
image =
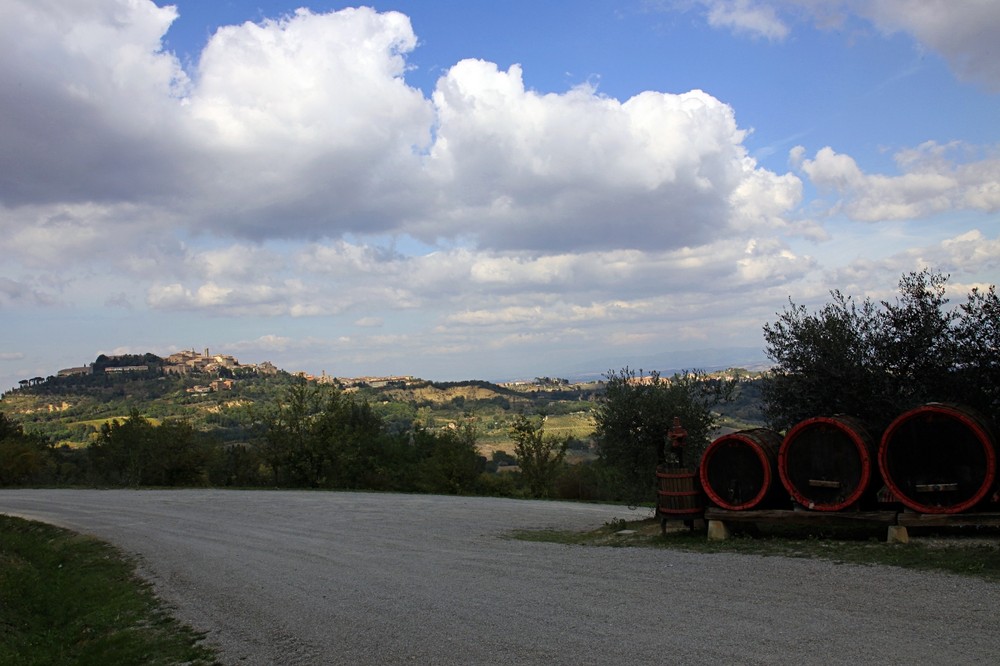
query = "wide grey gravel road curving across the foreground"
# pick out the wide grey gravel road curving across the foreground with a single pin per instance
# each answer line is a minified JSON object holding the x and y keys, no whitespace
{"x":360,"y":578}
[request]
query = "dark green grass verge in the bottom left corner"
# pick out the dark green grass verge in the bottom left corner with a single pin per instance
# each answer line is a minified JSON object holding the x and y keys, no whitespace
{"x":72,"y":599}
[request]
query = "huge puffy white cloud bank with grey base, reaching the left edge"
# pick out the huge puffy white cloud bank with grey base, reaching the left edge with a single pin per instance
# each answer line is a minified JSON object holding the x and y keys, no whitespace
{"x":305,"y":127}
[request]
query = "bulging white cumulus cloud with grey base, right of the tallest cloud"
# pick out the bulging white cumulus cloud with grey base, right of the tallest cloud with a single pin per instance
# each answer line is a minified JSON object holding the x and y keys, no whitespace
{"x":577,"y":170}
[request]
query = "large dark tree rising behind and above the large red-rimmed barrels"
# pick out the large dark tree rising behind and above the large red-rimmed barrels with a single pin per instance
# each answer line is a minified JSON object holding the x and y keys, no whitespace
{"x":875,"y":361}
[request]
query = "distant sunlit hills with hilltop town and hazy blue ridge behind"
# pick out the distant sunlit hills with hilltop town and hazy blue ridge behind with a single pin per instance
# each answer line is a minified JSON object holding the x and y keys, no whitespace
{"x":70,"y":408}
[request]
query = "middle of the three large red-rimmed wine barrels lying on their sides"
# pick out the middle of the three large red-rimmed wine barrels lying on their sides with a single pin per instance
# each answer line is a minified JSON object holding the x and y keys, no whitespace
{"x":826,"y":463}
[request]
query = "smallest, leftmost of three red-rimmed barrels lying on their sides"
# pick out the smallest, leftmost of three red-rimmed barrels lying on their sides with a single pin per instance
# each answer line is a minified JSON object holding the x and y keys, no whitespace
{"x":739,"y":471}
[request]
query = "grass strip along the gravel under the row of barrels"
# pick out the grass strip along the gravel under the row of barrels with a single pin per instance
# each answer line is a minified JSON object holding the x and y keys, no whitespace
{"x":965,"y":553}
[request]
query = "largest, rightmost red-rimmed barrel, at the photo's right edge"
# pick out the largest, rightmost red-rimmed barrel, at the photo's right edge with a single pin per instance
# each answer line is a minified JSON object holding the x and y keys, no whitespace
{"x":939,"y":458}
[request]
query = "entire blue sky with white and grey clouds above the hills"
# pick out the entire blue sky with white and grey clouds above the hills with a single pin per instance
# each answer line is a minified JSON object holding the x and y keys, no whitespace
{"x":477,"y":190}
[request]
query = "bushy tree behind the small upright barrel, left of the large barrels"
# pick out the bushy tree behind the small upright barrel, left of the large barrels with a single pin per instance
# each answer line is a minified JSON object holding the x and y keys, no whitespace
{"x":636,"y":412}
